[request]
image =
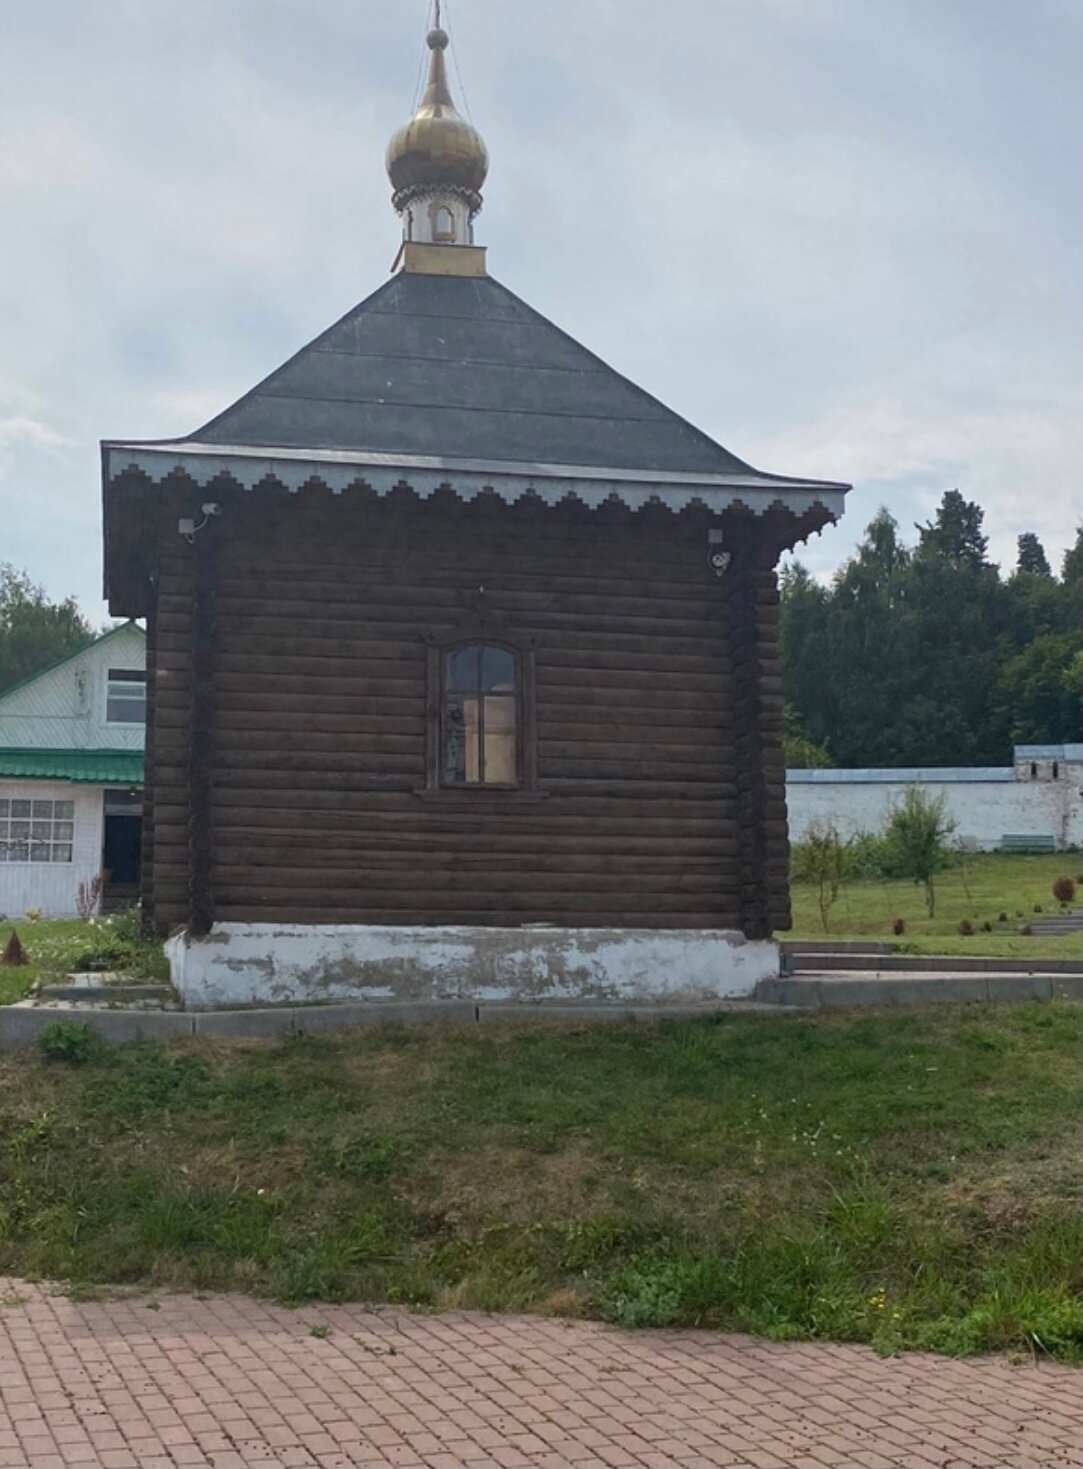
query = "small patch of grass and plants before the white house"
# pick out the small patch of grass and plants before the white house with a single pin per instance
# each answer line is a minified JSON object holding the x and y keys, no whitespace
{"x":55,"y":947}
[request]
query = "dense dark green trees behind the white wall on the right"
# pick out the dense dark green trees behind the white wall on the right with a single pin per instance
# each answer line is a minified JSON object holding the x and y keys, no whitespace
{"x":921,"y":657}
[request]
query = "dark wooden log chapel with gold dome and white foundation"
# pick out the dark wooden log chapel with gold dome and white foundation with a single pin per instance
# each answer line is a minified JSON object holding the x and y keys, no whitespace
{"x":462,"y":654}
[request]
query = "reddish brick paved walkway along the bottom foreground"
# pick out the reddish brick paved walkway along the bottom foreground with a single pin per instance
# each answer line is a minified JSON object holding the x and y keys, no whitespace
{"x":233,"y":1383}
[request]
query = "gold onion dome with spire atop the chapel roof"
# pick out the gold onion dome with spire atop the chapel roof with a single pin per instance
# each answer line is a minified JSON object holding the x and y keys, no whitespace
{"x":437,"y":149}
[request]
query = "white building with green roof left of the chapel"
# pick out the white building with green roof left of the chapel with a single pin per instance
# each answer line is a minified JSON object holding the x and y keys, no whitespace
{"x":71,"y":779}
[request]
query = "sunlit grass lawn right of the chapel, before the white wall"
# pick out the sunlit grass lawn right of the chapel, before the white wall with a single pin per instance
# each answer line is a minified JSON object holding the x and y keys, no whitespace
{"x":988,"y":887}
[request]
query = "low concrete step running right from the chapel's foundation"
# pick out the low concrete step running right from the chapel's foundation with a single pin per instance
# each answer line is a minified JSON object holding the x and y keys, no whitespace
{"x":844,"y":989}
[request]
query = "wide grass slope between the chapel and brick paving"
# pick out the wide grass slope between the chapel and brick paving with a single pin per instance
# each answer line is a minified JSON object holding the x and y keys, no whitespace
{"x":906,"y":1179}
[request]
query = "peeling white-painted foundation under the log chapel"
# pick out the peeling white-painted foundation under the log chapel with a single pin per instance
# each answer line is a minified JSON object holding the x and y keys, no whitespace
{"x":295,"y":964}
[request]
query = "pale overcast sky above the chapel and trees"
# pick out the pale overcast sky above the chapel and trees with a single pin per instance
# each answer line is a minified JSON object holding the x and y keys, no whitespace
{"x":840,"y":236}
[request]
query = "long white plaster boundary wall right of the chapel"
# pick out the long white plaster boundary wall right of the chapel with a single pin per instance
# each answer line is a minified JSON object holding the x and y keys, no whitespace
{"x":1040,"y":795}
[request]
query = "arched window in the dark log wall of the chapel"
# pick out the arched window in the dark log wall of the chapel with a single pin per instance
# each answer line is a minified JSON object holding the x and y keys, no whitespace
{"x":480,"y":716}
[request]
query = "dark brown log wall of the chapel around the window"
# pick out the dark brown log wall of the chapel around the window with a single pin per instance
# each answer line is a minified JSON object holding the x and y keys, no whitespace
{"x":289,"y":744}
